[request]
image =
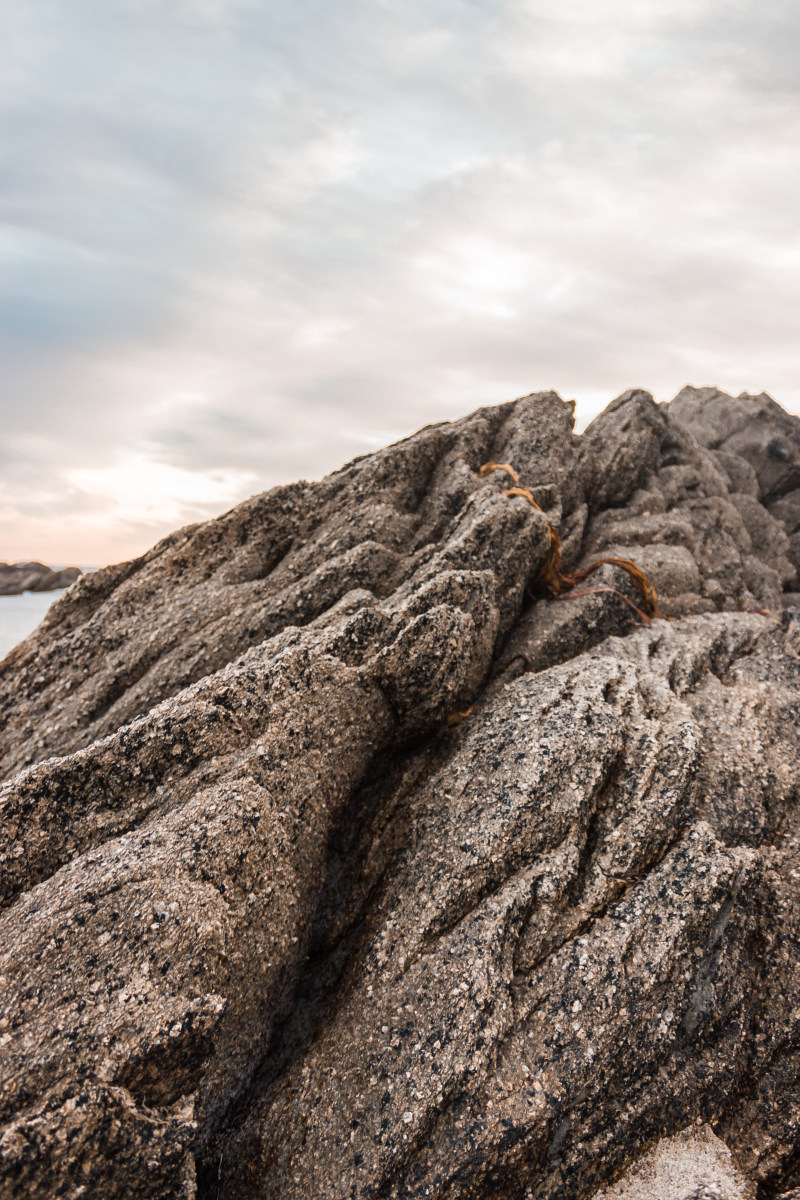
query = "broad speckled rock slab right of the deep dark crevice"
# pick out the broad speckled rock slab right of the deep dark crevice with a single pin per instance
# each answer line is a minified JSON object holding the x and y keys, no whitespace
{"x":566,"y":943}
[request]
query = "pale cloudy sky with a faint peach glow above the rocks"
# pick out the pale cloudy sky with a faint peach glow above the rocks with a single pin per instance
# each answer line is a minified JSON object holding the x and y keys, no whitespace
{"x":242,"y":243}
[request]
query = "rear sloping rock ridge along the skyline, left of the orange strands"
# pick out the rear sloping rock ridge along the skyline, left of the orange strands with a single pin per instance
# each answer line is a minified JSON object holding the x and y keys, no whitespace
{"x":127,"y":638}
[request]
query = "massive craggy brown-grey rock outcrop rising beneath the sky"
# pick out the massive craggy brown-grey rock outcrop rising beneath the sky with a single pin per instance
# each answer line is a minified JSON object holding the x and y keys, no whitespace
{"x":274,"y":928}
